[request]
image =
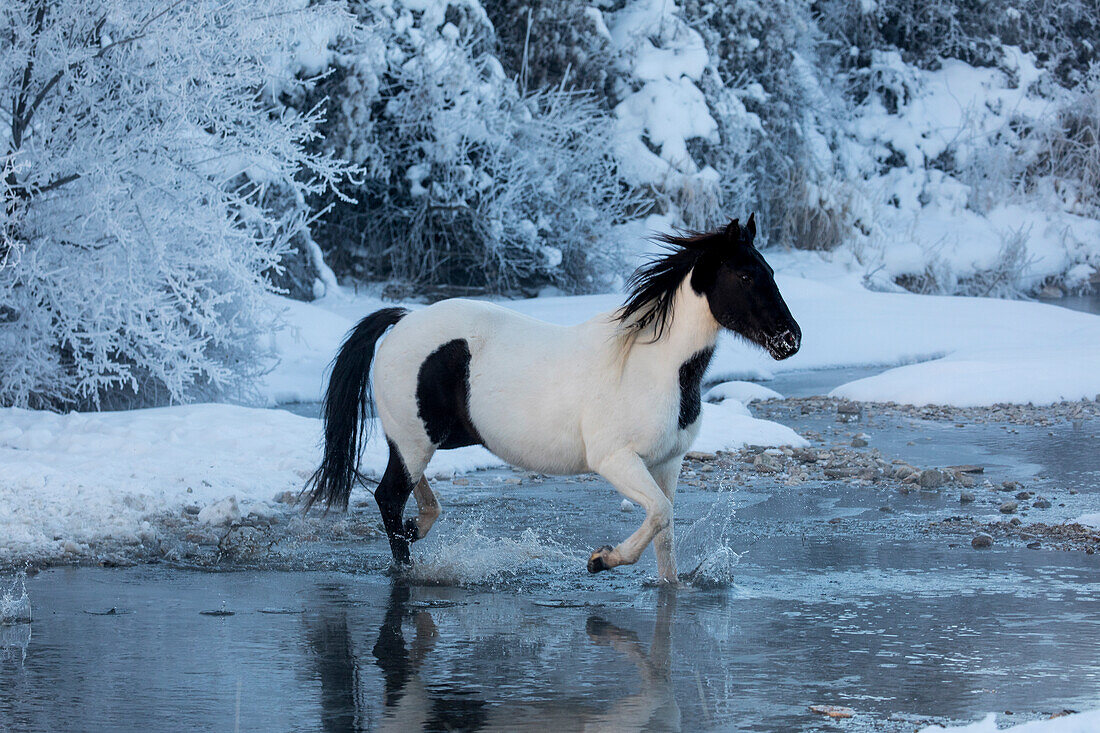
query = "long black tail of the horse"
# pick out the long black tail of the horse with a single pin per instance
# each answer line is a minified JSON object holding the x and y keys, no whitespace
{"x":348,"y":406}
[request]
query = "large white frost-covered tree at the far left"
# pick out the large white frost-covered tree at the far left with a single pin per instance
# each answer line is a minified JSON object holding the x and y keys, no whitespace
{"x":140,"y":147}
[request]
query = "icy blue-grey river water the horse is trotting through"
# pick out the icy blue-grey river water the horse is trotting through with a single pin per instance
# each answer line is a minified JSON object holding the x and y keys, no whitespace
{"x":801,"y":596}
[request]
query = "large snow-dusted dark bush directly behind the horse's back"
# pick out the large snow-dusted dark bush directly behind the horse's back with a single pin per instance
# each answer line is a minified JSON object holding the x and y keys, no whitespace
{"x":469,"y":183}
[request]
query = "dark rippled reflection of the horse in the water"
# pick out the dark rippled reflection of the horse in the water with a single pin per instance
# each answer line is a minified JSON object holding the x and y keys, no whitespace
{"x":413,"y":703}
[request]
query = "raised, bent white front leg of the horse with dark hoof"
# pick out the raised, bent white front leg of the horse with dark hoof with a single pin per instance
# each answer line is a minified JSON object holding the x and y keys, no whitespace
{"x":628,"y":473}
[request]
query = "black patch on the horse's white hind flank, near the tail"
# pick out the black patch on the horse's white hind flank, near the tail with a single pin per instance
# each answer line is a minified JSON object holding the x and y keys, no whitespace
{"x":443,"y":397}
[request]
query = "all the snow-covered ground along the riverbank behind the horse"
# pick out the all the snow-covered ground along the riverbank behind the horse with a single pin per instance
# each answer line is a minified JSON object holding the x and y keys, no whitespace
{"x":73,"y":479}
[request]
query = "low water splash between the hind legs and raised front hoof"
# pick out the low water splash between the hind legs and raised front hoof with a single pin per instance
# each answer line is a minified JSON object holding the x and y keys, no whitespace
{"x":466,"y":556}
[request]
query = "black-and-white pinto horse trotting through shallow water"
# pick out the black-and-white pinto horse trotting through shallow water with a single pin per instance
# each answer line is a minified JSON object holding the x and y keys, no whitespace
{"x":618,"y":396}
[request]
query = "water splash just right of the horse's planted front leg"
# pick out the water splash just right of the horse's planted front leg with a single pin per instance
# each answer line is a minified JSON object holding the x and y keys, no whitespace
{"x":706,"y":549}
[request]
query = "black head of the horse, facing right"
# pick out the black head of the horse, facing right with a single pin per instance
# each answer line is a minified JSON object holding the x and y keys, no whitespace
{"x":742,"y":293}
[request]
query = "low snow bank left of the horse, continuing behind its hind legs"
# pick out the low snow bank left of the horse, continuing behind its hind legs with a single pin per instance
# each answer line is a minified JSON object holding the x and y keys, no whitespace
{"x":74,"y":479}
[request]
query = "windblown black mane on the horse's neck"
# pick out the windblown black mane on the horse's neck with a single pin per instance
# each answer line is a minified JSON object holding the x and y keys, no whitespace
{"x":654,"y":286}
